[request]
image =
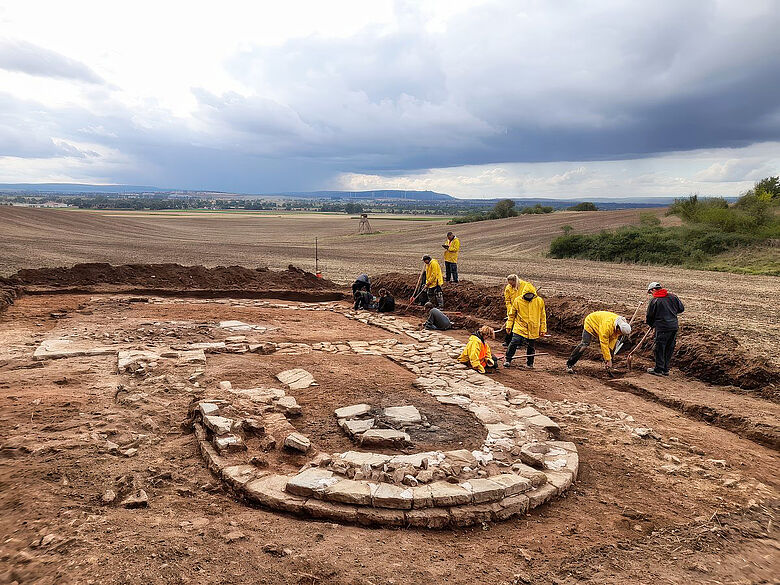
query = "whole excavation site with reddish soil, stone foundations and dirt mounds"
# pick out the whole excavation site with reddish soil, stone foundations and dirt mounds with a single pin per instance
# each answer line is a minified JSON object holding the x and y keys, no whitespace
{"x":159,"y":418}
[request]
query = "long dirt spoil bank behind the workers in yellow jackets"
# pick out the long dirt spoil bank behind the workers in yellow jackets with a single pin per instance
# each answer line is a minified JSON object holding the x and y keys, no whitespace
{"x":704,"y":354}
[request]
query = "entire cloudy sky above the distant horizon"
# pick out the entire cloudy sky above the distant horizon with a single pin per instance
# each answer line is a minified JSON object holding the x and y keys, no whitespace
{"x":591,"y":98}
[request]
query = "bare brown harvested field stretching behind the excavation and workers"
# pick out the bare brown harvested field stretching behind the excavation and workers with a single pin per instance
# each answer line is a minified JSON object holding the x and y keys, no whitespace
{"x":743,"y":305}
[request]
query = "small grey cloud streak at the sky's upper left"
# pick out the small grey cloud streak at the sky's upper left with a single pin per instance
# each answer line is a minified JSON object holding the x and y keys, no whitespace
{"x":20,"y":56}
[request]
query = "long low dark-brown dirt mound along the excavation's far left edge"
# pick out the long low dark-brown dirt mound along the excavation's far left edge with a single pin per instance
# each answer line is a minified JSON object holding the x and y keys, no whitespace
{"x":170,"y":276}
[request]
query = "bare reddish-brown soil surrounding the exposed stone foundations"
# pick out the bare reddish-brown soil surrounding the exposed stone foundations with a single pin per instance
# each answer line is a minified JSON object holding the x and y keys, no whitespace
{"x":696,"y":505}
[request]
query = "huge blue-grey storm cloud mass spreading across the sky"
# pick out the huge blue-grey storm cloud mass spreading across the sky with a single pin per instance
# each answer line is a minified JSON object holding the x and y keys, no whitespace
{"x":503,"y":82}
